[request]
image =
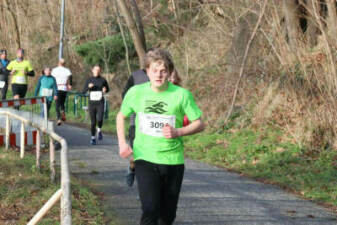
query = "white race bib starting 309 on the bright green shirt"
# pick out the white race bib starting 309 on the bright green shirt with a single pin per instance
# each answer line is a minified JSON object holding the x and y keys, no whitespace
{"x":152,"y":124}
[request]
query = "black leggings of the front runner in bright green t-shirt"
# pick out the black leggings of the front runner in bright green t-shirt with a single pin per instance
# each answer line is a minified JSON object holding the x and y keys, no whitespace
{"x":159,"y":187}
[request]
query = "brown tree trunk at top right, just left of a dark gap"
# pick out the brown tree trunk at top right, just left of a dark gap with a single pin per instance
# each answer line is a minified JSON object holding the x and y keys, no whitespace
{"x":292,"y":21}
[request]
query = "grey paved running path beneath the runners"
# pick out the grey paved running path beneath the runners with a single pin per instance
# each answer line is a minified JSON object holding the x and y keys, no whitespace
{"x":210,"y":196}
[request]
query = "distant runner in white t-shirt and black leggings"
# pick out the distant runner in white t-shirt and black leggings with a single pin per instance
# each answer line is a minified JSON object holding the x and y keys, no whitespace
{"x":63,"y":78}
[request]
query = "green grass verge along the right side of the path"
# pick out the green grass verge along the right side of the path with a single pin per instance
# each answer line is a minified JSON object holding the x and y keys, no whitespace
{"x":261,"y":155}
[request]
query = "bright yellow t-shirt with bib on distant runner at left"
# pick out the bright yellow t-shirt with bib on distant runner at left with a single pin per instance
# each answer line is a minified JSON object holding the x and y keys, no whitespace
{"x":19,"y":77}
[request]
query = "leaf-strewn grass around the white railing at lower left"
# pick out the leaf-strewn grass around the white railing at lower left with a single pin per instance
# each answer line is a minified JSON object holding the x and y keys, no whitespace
{"x":24,"y":190}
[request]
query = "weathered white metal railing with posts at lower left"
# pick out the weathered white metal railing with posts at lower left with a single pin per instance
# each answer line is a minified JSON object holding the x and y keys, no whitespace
{"x":64,"y":193}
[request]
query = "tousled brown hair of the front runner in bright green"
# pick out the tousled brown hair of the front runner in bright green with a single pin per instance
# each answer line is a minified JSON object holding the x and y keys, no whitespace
{"x":158,"y":54}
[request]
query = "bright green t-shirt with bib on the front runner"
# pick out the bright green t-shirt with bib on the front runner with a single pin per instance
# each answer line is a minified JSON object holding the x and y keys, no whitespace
{"x":154,"y":110}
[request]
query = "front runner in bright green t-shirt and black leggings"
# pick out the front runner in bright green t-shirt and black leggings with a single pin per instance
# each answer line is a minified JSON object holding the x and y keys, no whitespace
{"x":160,"y":107}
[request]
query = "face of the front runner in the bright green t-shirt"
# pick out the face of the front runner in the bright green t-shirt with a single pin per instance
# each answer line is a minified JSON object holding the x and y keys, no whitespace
{"x":158,"y":74}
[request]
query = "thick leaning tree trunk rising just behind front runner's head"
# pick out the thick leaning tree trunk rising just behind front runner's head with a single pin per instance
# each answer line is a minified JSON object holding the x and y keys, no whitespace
{"x":140,"y":48}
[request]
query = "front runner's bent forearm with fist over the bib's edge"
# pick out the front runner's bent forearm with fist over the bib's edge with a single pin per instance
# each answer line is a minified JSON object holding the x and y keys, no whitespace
{"x":193,"y":128}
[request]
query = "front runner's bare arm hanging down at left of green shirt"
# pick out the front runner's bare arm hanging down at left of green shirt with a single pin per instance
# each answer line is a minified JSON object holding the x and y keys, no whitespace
{"x":124,"y":149}
